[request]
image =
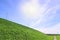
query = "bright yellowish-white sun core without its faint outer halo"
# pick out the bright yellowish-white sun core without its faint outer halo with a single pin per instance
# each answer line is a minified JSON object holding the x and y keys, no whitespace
{"x":30,"y":10}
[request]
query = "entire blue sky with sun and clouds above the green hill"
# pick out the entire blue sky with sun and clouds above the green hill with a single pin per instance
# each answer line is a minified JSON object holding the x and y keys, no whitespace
{"x":42,"y":15}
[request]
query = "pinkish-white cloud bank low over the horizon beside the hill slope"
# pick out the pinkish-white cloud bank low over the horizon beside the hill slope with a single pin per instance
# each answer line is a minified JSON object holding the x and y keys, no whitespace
{"x":51,"y":30}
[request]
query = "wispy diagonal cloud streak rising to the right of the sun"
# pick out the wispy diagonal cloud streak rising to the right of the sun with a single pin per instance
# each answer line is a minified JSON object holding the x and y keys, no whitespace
{"x":47,"y":14}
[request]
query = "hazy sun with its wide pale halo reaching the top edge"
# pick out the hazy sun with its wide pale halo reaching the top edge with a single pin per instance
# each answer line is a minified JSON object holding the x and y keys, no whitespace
{"x":32,"y":9}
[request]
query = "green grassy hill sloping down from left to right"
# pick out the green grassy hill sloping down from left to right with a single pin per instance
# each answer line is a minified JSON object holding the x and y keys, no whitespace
{"x":13,"y":31}
